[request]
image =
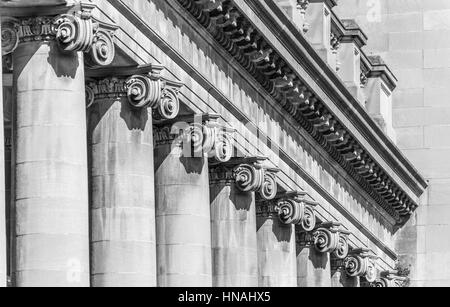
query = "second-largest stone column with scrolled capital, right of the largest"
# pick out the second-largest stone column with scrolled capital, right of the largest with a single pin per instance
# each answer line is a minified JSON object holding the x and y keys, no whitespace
{"x":120,"y":135}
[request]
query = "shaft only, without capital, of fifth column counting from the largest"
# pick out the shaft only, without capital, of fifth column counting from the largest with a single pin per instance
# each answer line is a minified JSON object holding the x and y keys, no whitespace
{"x":276,"y":253}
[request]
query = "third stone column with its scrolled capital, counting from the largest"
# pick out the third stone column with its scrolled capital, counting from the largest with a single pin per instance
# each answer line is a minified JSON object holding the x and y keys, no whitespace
{"x":182,"y":198}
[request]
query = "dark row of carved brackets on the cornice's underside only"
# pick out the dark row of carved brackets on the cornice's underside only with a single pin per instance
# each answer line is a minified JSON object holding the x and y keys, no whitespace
{"x":237,"y":34}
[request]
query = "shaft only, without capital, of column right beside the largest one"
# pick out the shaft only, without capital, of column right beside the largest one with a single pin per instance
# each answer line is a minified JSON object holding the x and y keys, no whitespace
{"x":123,"y":247}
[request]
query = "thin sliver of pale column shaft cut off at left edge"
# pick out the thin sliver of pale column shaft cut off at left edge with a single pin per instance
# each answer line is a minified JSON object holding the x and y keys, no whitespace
{"x":3,"y":257}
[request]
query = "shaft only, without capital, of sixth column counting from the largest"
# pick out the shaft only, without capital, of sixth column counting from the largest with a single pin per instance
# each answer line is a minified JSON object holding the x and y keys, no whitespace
{"x":313,"y":268}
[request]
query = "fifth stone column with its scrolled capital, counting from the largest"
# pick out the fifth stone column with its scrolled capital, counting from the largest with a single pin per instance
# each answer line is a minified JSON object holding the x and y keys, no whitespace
{"x":276,"y":220}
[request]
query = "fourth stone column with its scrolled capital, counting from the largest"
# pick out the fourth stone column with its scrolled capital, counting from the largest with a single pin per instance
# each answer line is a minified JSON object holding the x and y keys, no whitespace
{"x":233,"y":221}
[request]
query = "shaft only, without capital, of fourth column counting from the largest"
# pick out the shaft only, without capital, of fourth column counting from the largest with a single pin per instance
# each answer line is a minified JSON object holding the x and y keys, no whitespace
{"x":233,"y":221}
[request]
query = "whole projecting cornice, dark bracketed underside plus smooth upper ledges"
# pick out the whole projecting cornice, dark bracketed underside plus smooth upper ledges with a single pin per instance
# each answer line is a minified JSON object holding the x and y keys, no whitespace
{"x":240,"y":34}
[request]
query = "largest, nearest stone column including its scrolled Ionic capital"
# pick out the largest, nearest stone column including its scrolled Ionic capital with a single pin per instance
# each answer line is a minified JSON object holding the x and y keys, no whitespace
{"x":51,"y":190}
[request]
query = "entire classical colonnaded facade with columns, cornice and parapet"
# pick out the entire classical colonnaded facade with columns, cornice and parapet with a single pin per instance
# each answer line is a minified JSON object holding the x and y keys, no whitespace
{"x":199,"y":143}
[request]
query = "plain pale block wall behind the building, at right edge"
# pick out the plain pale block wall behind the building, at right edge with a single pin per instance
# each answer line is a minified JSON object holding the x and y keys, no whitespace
{"x":413,"y":36}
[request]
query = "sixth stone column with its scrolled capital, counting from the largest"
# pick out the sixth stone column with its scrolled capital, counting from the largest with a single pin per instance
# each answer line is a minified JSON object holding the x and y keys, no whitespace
{"x":314,"y":249}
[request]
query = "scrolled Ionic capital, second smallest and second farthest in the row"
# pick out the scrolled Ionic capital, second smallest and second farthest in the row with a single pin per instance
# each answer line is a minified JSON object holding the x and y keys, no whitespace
{"x":360,"y":263}
